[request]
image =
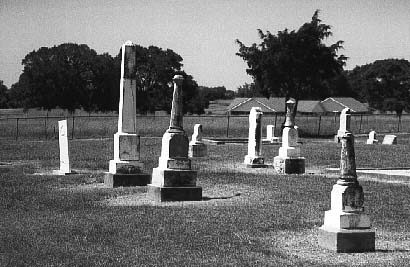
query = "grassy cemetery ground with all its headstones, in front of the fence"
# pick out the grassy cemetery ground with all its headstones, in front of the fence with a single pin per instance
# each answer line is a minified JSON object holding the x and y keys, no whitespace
{"x":143,"y":200}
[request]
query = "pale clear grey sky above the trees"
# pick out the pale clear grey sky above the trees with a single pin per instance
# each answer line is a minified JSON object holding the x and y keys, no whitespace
{"x":203,"y":32}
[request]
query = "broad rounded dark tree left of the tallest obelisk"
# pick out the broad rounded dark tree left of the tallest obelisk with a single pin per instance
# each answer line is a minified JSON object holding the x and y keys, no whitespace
{"x":61,"y":76}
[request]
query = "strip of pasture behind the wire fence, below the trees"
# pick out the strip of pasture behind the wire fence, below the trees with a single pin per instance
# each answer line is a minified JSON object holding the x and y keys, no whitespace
{"x":103,"y":126}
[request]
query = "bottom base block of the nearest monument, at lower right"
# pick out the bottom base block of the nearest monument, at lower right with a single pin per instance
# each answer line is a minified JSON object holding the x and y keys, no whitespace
{"x":347,"y":240}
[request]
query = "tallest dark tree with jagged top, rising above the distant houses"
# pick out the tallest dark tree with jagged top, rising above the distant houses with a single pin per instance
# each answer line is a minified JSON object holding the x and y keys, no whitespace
{"x":294,"y":63}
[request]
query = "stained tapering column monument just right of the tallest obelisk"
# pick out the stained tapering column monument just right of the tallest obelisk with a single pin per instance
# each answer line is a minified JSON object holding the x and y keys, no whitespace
{"x":174,"y":179}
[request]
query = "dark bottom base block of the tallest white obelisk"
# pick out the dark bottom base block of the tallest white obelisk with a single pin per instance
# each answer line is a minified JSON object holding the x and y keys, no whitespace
{"x":136,"y":179}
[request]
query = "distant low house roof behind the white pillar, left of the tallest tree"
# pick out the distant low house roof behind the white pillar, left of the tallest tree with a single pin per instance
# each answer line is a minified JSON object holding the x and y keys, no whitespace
{"x":242,"y":106}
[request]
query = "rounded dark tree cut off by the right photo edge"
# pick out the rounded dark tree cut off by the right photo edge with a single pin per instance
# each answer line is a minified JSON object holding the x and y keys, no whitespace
{"x":384,"y":84}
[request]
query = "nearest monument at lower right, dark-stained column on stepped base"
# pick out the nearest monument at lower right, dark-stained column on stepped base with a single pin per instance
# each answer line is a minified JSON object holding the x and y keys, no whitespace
{"x":346,"y":227}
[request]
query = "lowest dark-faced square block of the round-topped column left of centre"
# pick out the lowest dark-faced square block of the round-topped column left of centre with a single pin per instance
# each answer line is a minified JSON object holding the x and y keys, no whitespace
{"x":161,"y":194}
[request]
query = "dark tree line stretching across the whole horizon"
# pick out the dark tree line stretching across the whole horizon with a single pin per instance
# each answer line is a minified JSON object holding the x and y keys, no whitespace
{"x":297,"y":64}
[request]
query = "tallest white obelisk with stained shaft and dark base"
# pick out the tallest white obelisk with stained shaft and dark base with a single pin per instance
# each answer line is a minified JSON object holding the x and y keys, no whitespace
{"x":126,"y":169}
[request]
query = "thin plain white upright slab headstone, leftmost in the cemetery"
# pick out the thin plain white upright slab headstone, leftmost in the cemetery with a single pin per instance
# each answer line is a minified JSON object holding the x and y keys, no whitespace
{"x":65,"y":166}
